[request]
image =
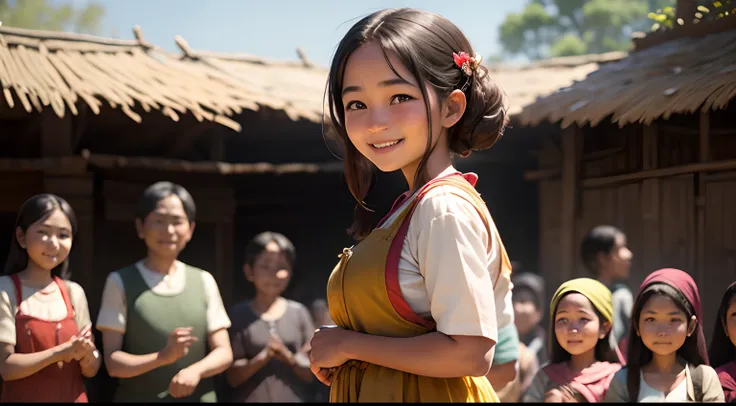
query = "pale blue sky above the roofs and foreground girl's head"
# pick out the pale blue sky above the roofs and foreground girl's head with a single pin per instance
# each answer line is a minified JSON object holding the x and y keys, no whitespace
{"x":275,"y":28}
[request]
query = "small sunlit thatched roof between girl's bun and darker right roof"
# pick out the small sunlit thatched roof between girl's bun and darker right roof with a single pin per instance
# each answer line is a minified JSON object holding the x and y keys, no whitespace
{"x":525,"y":84}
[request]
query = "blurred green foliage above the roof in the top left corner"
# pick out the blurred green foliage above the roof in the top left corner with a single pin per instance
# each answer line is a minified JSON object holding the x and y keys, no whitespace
{"x":51,"y":15}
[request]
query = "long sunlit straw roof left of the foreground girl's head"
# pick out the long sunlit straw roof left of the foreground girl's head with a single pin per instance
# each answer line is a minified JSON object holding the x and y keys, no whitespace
{"x":40,"y":69}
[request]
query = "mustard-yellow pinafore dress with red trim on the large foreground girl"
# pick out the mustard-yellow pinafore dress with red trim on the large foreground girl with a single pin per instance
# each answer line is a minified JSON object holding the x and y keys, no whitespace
{"x":364,"y":295}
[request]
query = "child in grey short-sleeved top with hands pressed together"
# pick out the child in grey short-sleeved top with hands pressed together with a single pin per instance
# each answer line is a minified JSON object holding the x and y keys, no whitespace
{"x":270,"y":334}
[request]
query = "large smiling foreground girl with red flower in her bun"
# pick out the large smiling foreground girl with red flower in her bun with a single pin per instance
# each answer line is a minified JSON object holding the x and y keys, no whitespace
{"x":414,"y":299}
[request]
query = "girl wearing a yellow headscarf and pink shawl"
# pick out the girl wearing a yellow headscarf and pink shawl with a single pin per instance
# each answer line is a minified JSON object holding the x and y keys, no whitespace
{"x":582,"y":353}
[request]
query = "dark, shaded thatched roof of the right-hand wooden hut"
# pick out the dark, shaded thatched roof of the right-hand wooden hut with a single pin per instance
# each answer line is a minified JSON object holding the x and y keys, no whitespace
{"x":682,"y":75}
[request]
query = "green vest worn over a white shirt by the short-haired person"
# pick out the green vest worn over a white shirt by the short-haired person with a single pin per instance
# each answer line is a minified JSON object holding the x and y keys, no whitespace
{"x":150,"y":319}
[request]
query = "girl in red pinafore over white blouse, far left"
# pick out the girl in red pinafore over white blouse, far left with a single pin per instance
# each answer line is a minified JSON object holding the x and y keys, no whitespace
{"x":46,"y":343}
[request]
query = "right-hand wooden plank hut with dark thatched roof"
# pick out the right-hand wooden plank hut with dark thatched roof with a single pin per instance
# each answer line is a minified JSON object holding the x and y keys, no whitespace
{"x":646,"y":143}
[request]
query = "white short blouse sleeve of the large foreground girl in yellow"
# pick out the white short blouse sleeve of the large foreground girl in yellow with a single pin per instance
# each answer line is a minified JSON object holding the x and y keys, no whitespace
{"x":451,"y":245}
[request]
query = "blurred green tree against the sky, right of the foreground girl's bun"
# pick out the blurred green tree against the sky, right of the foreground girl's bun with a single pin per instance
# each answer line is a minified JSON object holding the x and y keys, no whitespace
{"x":547,"y":28}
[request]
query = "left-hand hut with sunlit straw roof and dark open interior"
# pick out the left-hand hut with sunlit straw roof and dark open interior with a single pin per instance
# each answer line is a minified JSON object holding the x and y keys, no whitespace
{"x":96,"y":120}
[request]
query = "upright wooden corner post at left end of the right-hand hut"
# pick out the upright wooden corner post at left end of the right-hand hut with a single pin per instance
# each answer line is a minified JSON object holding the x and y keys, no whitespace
{"x":571,"y":141}
